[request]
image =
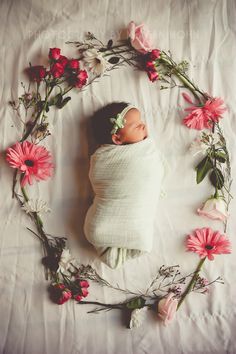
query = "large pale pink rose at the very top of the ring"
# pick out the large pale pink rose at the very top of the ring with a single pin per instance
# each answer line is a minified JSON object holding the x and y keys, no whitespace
{"x":140,"y":38}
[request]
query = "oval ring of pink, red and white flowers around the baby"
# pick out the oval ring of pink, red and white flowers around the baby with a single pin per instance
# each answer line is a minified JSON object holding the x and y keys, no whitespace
{"x":49,"y":87}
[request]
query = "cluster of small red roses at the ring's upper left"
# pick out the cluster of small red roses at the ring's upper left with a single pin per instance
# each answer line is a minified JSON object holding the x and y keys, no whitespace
{"x":60,"y":66}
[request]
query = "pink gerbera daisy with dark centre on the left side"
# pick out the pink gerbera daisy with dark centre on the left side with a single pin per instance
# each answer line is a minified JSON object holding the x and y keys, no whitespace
{"x":33,"y":161}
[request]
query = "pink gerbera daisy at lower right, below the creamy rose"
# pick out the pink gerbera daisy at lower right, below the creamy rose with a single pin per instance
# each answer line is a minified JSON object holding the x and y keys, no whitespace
{"x":207,"y":242}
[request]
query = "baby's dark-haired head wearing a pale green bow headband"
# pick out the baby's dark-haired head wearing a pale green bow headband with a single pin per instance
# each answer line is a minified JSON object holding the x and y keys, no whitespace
{"x":118,"y":123}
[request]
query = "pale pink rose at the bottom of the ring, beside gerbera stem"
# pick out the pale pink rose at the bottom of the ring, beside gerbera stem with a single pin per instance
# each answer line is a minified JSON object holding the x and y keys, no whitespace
{"x":167,"y":308}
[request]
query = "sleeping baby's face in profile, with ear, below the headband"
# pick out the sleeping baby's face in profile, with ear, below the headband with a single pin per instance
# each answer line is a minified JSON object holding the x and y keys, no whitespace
{"x":134,"y":130}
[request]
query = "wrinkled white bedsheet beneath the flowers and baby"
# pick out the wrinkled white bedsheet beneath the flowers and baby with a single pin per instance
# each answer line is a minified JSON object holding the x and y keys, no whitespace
{"x":204,"y":33}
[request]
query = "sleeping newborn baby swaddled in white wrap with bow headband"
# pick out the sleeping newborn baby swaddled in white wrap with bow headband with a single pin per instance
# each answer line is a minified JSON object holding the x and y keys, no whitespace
{"x":126,"y":173}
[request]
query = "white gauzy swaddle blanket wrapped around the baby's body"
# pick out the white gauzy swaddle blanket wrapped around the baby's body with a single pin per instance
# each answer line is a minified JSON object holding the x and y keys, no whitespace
{"x":126,"y":180}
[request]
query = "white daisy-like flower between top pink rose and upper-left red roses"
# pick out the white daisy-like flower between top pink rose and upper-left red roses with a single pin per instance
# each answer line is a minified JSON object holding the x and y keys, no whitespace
{"x":95,"y":61}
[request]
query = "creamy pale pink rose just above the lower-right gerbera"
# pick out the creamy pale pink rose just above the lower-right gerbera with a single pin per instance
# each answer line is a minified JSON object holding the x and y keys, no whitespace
{"x":214,"y":208}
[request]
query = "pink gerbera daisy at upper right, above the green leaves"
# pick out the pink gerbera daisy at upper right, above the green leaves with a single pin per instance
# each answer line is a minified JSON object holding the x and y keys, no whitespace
{"x":203,"y":116}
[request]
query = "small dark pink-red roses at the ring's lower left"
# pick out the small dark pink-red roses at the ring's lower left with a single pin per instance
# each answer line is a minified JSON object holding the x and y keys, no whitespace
{"x":61,"y":293}
